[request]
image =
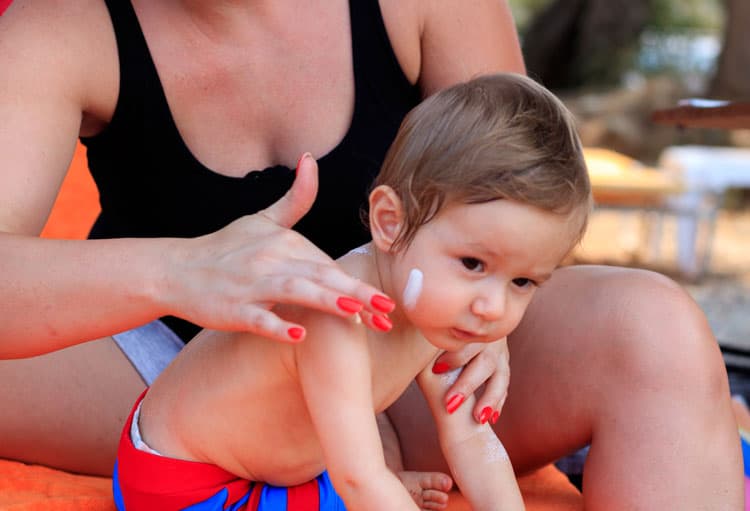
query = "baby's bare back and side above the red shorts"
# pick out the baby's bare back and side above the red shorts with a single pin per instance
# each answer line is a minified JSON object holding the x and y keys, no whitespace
{"x":234,"y":400}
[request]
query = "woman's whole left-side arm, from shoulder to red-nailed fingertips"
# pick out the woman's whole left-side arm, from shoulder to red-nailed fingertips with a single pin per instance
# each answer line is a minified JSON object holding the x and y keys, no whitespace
{"x":57,"y":293}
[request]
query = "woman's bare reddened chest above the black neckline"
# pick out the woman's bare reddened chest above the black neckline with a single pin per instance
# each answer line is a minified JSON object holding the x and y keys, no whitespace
{"x":261,"y":93}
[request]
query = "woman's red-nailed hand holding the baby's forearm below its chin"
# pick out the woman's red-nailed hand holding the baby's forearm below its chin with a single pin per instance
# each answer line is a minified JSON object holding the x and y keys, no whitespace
{"x":477,"y":364}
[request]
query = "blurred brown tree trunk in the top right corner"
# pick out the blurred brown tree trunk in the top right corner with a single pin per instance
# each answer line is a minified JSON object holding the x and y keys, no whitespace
{"x":732,"y":78}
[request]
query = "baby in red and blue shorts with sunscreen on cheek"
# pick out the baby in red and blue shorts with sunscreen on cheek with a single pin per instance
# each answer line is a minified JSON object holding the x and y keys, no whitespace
{"x":481,"y":196}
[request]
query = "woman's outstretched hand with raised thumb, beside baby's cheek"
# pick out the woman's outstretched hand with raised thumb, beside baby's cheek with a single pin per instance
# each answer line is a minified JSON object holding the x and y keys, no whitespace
{"x":232,"y":278}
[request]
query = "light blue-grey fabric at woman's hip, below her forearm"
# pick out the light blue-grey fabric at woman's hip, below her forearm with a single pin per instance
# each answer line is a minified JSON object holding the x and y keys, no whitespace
{"x":150,"y":348}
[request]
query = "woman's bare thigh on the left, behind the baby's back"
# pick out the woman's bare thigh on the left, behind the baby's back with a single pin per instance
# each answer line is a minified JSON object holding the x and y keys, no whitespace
{"x":66,"y":409}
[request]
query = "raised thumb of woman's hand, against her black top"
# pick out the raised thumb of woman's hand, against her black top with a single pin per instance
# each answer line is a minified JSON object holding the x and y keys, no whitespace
{"x":289,"y":209}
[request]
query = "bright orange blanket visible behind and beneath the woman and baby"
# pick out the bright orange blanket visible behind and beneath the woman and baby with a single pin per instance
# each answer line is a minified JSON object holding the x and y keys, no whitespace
{"x":30,"y":488}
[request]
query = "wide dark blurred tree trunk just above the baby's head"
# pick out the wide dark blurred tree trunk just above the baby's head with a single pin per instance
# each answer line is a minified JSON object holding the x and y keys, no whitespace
{"x":572,"y":42}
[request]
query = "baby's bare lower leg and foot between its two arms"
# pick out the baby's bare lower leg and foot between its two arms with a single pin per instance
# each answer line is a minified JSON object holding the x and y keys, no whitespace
{"x":428,"y":489}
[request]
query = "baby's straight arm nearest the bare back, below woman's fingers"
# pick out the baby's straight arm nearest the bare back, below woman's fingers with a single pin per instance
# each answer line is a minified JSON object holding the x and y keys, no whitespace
{"x":334,"y":371}
